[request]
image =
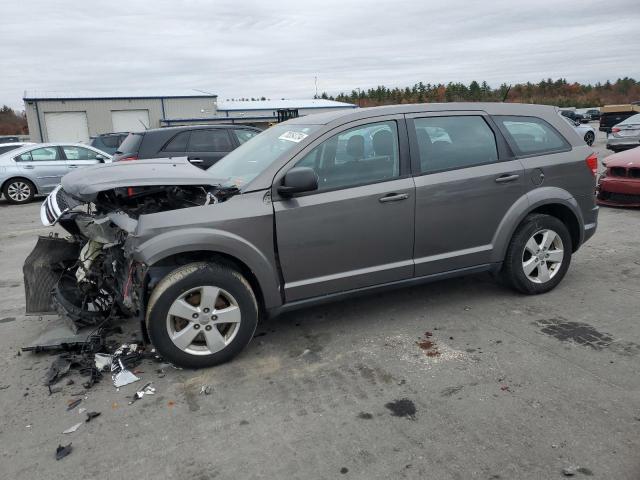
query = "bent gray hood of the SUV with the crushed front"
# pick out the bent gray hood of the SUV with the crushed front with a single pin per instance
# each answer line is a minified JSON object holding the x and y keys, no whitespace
{"x":85,"y":184}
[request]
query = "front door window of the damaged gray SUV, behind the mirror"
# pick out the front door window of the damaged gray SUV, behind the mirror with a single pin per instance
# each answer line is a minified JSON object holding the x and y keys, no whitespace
{"x":358,"y":156}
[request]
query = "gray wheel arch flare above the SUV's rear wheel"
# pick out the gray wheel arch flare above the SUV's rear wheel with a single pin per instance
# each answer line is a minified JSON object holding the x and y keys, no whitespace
{"x":523,"y":207}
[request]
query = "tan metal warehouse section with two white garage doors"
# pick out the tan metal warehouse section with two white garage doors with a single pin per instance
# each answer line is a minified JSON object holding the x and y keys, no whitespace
{"x":60,"y":117}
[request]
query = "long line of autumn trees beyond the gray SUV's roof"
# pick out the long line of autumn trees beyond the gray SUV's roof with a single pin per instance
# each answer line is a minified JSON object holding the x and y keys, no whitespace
{"x":548,"y":92}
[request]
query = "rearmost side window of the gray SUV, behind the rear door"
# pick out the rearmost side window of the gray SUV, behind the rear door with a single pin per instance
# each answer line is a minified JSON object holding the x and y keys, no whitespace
{"x":531,"y":135}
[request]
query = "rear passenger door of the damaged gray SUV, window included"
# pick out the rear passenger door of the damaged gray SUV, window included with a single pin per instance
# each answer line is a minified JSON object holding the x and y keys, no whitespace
{"x":466,"y":181}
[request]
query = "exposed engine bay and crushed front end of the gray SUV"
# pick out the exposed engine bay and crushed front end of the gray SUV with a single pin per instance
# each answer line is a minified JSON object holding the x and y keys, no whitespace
{"x":88,"y":277}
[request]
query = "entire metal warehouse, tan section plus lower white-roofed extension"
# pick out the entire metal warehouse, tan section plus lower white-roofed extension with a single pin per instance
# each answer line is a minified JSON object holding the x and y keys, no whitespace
{"x":68,"y":117}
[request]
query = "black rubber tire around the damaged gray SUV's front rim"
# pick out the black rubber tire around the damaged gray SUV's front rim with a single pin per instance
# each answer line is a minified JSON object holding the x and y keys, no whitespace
{"x":189,"y":277}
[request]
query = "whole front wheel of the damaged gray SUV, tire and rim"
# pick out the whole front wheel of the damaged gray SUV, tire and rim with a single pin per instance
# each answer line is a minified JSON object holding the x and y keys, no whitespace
{"x":201,"y":314}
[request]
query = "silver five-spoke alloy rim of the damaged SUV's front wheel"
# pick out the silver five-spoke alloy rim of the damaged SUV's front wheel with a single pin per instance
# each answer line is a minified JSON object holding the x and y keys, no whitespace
{"x":203,"y":320}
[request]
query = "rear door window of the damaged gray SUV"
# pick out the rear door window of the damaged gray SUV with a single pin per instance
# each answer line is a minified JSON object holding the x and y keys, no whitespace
{"x":448,"y":143}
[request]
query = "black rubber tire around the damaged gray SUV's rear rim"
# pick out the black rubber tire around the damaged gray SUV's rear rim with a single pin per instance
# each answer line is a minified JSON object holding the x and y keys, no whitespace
{"x":513,"y":269}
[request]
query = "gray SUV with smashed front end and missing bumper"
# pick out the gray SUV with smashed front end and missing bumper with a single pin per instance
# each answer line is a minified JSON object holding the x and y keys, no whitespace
{"x":315,"y":209}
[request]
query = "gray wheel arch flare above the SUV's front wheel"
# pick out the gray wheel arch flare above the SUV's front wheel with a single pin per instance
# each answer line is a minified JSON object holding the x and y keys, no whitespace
{"x":174,"y":242}
